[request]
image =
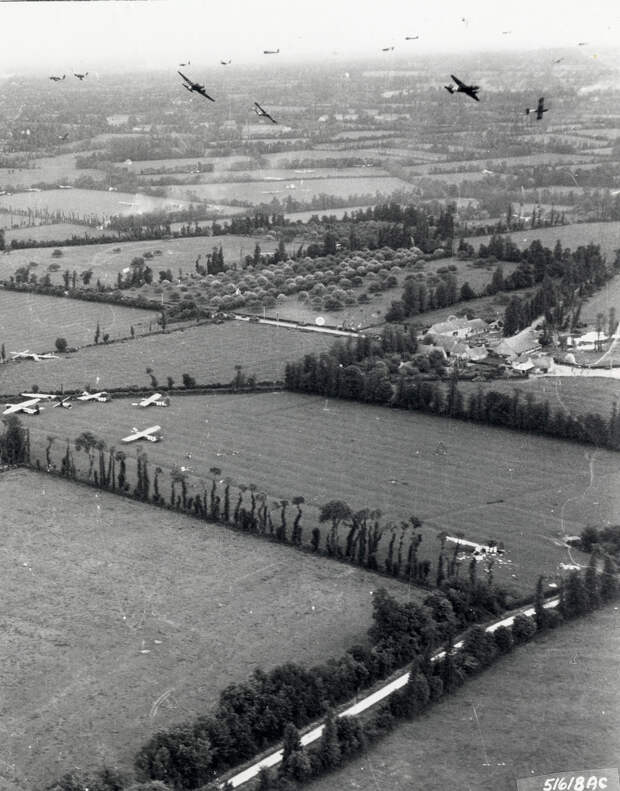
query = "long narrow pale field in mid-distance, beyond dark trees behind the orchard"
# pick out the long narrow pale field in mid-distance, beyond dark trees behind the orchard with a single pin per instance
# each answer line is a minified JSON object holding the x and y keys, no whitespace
{"x":259,"y":192}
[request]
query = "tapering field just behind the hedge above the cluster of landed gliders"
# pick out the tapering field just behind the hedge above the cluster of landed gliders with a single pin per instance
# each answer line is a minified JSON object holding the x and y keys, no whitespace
{"x":209,"y":353}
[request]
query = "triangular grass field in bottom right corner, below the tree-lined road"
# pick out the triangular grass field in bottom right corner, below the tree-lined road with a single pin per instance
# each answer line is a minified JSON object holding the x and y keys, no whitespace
{"x":500,"y":727}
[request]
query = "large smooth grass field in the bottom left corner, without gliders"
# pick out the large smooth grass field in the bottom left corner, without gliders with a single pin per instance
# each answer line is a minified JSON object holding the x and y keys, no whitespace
{"x":119,"y":620}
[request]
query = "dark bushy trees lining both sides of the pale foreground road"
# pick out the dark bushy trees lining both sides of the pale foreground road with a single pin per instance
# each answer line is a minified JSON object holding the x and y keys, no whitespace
{"x":274,"y":706}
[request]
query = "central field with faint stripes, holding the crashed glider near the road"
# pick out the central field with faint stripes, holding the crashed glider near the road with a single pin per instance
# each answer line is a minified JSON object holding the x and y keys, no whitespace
{"x":520,"y":489}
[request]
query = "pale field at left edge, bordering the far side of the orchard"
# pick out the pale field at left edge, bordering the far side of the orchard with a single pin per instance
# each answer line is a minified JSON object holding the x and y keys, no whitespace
{"x":106,"y":263}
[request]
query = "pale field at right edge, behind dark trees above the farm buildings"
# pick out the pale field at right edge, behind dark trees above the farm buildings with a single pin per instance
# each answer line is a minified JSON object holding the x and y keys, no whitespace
{"x":606,"y":234}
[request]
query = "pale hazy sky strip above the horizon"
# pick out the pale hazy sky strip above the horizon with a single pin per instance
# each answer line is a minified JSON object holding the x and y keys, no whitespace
{"x":65,"y":36}
